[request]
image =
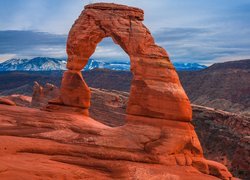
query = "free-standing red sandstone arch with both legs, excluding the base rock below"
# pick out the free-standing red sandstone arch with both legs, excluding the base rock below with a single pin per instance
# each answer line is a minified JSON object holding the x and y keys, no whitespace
{"x":155,"y":90}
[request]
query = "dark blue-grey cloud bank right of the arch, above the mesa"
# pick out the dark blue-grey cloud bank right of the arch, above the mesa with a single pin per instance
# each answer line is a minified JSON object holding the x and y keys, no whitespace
{"x":202,"y":45}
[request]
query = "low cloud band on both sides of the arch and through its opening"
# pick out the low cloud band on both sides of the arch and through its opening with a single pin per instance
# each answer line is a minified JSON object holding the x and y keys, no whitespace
{"x":201,"y":45}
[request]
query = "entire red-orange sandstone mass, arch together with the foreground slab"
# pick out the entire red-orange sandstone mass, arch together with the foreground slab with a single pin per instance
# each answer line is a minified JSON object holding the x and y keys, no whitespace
{"x":158,"y":141}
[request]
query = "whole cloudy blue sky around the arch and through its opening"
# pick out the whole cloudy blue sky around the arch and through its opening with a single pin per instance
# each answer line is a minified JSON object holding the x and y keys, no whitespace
{"x":190,"y":30}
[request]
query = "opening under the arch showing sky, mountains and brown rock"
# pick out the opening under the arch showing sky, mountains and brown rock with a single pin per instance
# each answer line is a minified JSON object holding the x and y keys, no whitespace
{"x":108,"y":102}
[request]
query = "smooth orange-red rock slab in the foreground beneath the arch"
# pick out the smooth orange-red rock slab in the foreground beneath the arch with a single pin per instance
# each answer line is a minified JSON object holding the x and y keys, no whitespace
{"x":37,"y":144}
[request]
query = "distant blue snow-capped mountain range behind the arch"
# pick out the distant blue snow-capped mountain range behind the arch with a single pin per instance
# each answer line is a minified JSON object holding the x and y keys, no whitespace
{"x":48,"y":64}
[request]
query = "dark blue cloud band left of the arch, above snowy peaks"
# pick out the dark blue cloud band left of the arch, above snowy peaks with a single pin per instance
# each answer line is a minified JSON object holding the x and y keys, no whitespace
{"x":30,"y":44}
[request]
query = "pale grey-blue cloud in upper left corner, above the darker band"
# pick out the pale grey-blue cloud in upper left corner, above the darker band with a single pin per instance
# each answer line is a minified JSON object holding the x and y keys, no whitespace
{"x":54,"y":16}
